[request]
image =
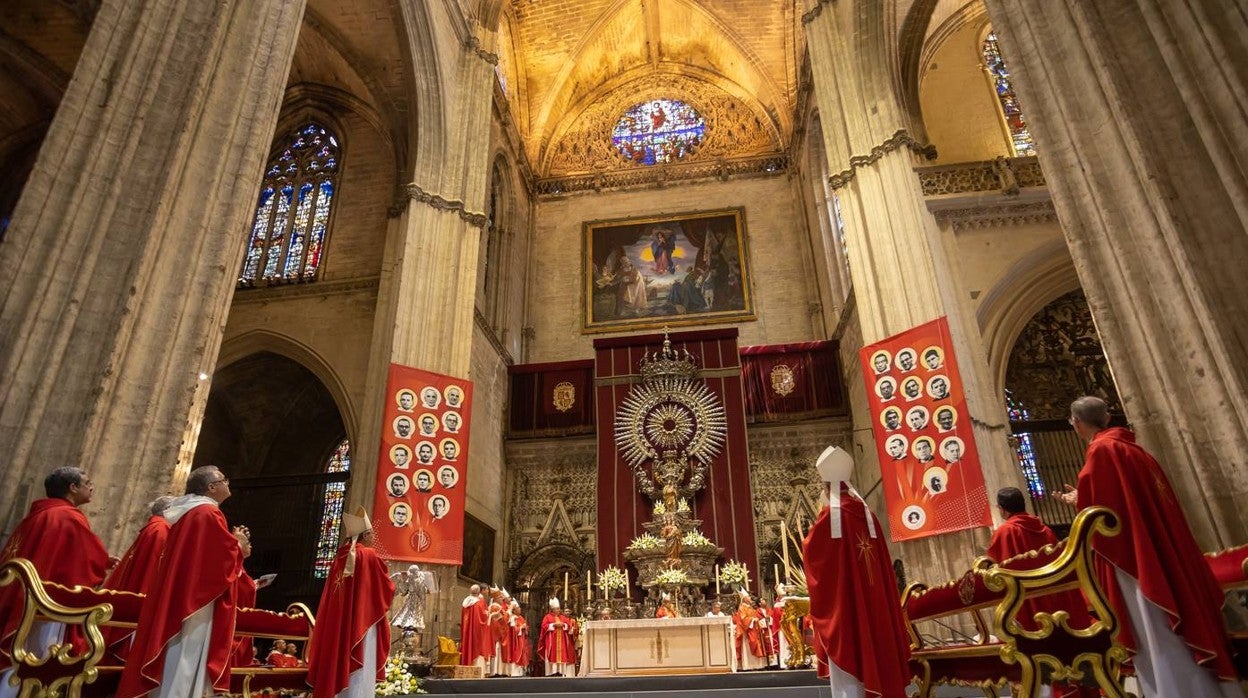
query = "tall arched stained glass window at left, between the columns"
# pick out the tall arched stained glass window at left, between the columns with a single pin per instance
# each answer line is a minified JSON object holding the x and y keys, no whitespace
{"x":293,"y":215}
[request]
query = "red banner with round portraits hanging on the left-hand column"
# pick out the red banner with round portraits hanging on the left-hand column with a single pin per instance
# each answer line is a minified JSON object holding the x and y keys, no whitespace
{"x":419,"y":505}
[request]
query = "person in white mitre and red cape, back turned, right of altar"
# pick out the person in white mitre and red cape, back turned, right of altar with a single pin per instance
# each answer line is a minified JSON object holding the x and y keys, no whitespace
{"x":854,"y":601}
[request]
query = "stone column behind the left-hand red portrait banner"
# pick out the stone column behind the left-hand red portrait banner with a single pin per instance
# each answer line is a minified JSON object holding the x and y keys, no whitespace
{"x":429,"y":285}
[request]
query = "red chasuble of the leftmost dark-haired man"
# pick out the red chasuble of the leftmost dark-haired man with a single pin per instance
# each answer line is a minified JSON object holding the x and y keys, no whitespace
{"x":58,"y":540}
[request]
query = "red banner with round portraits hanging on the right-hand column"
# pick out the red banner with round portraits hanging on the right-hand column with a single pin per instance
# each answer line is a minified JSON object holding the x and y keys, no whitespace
{"x":933,"y":481}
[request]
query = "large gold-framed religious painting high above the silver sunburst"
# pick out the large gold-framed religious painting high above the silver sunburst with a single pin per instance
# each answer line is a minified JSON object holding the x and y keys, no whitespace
{"x":685,"y":269}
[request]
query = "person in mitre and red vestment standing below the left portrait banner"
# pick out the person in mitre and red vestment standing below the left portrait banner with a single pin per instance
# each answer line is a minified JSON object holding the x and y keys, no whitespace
{"x":351,"y":640}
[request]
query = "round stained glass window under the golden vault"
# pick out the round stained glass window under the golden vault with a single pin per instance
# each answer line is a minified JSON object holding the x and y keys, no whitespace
{"x":658,"y":132}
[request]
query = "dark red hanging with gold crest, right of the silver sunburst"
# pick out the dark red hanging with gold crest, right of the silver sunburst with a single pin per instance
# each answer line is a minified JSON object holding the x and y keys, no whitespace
{"x":793,"y":381}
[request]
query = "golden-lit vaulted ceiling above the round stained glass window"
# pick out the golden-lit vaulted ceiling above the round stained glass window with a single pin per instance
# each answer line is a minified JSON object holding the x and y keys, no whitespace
{"x":576,"y":61}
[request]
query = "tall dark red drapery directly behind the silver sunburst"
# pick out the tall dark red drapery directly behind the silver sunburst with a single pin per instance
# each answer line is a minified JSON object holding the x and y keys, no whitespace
{"x":724,"y":506}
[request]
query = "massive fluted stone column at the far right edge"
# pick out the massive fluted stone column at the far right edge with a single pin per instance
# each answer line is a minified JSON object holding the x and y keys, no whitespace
{"x":1139,"y":111}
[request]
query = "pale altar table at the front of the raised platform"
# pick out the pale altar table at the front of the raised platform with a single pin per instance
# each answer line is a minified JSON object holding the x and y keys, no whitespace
{"x":658,"y":646}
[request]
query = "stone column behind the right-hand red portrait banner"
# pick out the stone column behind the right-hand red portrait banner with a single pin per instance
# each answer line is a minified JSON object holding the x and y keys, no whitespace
{"x":902,"y":273}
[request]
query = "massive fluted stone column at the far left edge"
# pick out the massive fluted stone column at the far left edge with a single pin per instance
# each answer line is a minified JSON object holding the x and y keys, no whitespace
{"x":123,"y":255}
